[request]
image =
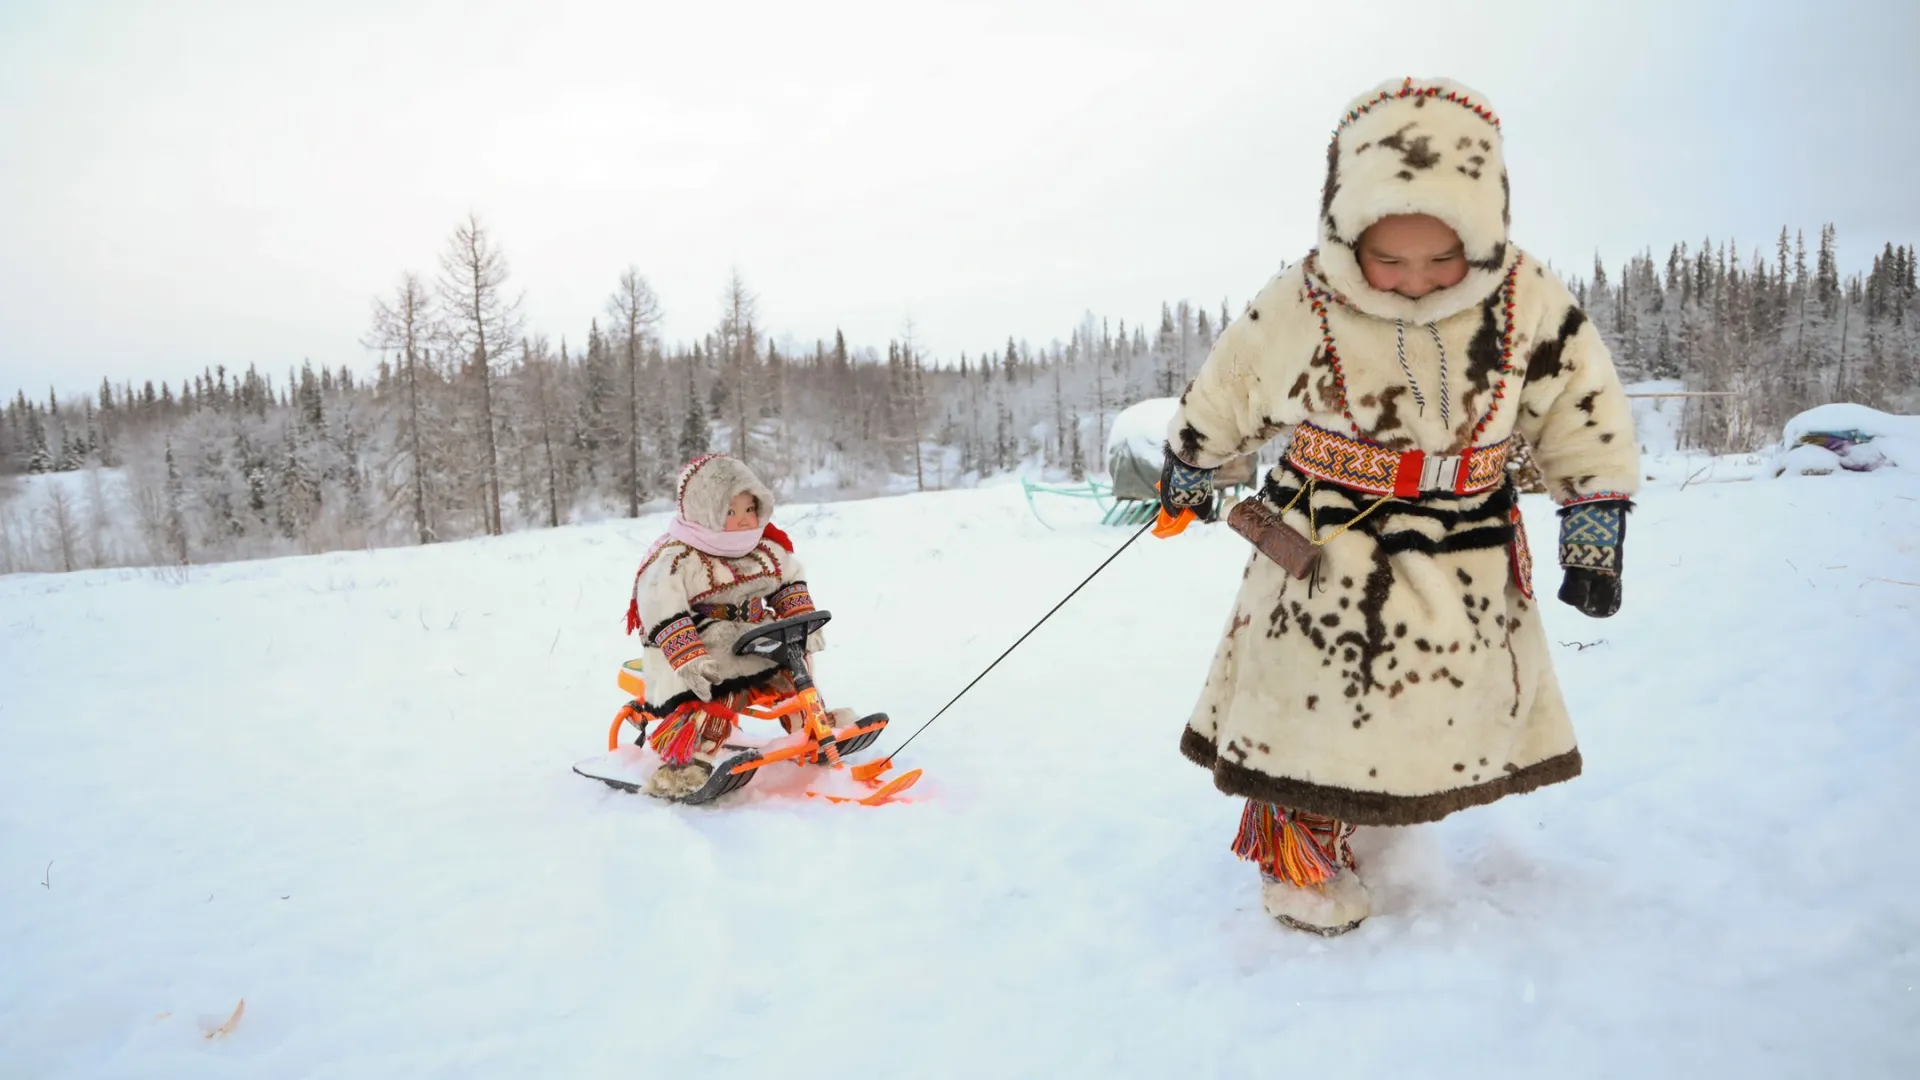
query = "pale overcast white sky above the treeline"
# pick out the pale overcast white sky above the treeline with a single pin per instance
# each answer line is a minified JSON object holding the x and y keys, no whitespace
{"x":197,"y":184}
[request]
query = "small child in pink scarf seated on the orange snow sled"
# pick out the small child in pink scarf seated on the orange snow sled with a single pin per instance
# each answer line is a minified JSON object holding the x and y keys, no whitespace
{"x":721,"y":568}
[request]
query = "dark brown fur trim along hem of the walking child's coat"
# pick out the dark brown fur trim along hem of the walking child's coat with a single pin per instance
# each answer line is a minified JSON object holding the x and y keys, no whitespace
{"x":1372,"y":808}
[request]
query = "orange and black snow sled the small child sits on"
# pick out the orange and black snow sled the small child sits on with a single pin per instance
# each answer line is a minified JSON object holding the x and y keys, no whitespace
{"x":813,"y":739}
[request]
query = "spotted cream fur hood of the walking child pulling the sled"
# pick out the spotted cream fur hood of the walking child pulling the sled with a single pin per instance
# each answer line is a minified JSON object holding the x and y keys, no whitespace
{"x":1416,"y":147}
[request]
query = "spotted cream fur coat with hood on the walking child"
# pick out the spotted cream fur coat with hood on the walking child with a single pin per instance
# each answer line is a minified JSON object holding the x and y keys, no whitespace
{"x":1410,"y":677}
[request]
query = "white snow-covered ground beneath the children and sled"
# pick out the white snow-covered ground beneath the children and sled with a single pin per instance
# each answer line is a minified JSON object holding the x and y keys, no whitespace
{"x":339,"y":791}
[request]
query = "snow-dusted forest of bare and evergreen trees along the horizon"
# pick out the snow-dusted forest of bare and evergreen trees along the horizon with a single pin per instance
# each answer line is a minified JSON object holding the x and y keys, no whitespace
{"x":462,"y":420}
